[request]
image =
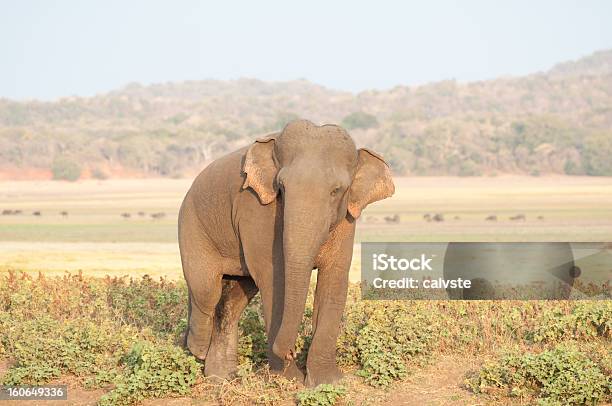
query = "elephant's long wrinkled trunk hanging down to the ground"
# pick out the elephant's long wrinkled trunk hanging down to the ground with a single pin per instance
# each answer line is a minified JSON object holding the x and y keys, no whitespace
{"x":303,"y":234}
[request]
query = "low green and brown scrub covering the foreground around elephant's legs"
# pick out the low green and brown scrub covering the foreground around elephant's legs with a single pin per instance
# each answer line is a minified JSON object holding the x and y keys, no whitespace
{"x":119,"y":331}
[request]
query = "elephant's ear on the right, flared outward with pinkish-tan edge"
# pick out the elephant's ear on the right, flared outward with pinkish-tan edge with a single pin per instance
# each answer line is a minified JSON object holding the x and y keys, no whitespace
{"x":372,"y":182}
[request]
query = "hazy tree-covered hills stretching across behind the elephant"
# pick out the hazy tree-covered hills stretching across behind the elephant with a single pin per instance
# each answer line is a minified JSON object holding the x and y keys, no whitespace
{"x":559,"y":121}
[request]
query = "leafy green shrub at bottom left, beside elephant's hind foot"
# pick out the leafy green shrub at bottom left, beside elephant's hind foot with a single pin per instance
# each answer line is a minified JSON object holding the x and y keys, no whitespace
{"x":153,"y":371}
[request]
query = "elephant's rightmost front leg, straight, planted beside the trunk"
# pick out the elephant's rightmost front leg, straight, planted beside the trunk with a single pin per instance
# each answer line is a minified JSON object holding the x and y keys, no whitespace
{"x":330,"y":299}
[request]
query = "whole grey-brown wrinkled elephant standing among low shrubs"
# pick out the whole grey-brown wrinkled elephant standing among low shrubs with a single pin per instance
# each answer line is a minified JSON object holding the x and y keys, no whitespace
{"x":261,"y":219}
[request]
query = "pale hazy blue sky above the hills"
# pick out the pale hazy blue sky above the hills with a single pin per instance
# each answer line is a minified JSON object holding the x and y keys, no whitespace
{"x":51,"y":49}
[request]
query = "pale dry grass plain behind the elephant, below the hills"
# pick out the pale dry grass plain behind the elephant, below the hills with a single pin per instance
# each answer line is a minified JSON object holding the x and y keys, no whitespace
{"x":93,"y":236}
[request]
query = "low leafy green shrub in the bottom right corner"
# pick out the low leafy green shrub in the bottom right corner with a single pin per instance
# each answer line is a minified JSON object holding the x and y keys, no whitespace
{"x":559,"y":376}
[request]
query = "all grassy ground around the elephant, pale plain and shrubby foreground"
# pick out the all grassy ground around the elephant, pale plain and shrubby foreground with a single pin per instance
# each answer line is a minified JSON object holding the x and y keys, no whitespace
{"x":92,"y":331}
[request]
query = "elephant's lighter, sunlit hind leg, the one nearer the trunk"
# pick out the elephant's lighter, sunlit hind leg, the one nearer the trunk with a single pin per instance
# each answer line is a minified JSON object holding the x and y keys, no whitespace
{"x":222,"y":360}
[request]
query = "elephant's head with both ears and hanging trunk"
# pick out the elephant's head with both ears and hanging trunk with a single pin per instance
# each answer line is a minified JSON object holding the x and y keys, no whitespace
{"x":320,"y":179}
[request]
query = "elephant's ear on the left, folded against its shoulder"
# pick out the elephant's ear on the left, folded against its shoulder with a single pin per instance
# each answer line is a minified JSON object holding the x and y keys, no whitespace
{"x":260,"y":169}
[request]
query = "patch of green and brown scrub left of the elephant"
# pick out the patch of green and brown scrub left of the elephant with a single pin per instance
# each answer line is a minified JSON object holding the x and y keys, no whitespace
{"x":85,"y":326}
